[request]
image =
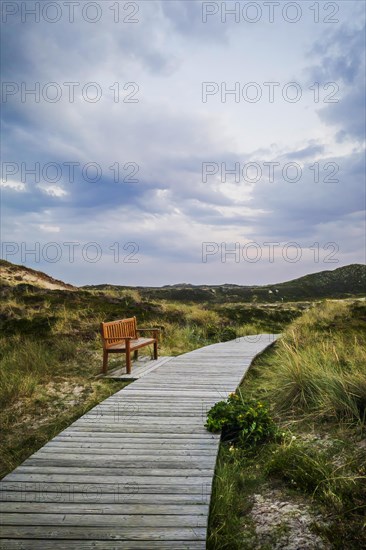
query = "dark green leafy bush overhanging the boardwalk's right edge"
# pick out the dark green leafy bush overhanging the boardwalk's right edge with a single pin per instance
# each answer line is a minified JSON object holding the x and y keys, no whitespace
{"x":242,"y":422}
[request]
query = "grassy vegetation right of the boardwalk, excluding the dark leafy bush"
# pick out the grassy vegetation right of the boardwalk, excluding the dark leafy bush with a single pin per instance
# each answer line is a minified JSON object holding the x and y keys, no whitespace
{"x":314,"y":378}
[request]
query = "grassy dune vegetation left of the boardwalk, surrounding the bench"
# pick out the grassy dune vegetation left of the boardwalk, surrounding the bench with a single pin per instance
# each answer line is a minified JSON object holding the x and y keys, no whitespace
{"x":51,"y":350}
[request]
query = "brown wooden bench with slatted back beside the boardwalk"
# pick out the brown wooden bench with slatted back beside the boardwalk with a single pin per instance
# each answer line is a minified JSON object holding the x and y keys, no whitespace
{"x":123,"y":337}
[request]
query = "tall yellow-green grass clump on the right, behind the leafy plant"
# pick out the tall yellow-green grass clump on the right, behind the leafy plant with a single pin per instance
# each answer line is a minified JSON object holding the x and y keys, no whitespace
{"x":320,"y":367}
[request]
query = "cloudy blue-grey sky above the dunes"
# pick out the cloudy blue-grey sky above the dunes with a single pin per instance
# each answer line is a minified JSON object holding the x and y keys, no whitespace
{"x":163,"y":141}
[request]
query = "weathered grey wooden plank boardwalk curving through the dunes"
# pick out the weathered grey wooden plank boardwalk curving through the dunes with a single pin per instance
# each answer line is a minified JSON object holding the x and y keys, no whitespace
{"x":136,"y":471}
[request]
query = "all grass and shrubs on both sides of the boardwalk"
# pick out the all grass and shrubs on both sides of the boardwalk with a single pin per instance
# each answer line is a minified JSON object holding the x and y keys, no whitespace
{"x":296,"y":427}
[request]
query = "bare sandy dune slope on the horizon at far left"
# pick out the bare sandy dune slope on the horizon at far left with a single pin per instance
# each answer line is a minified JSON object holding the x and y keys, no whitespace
{"x":12,"y":274}
